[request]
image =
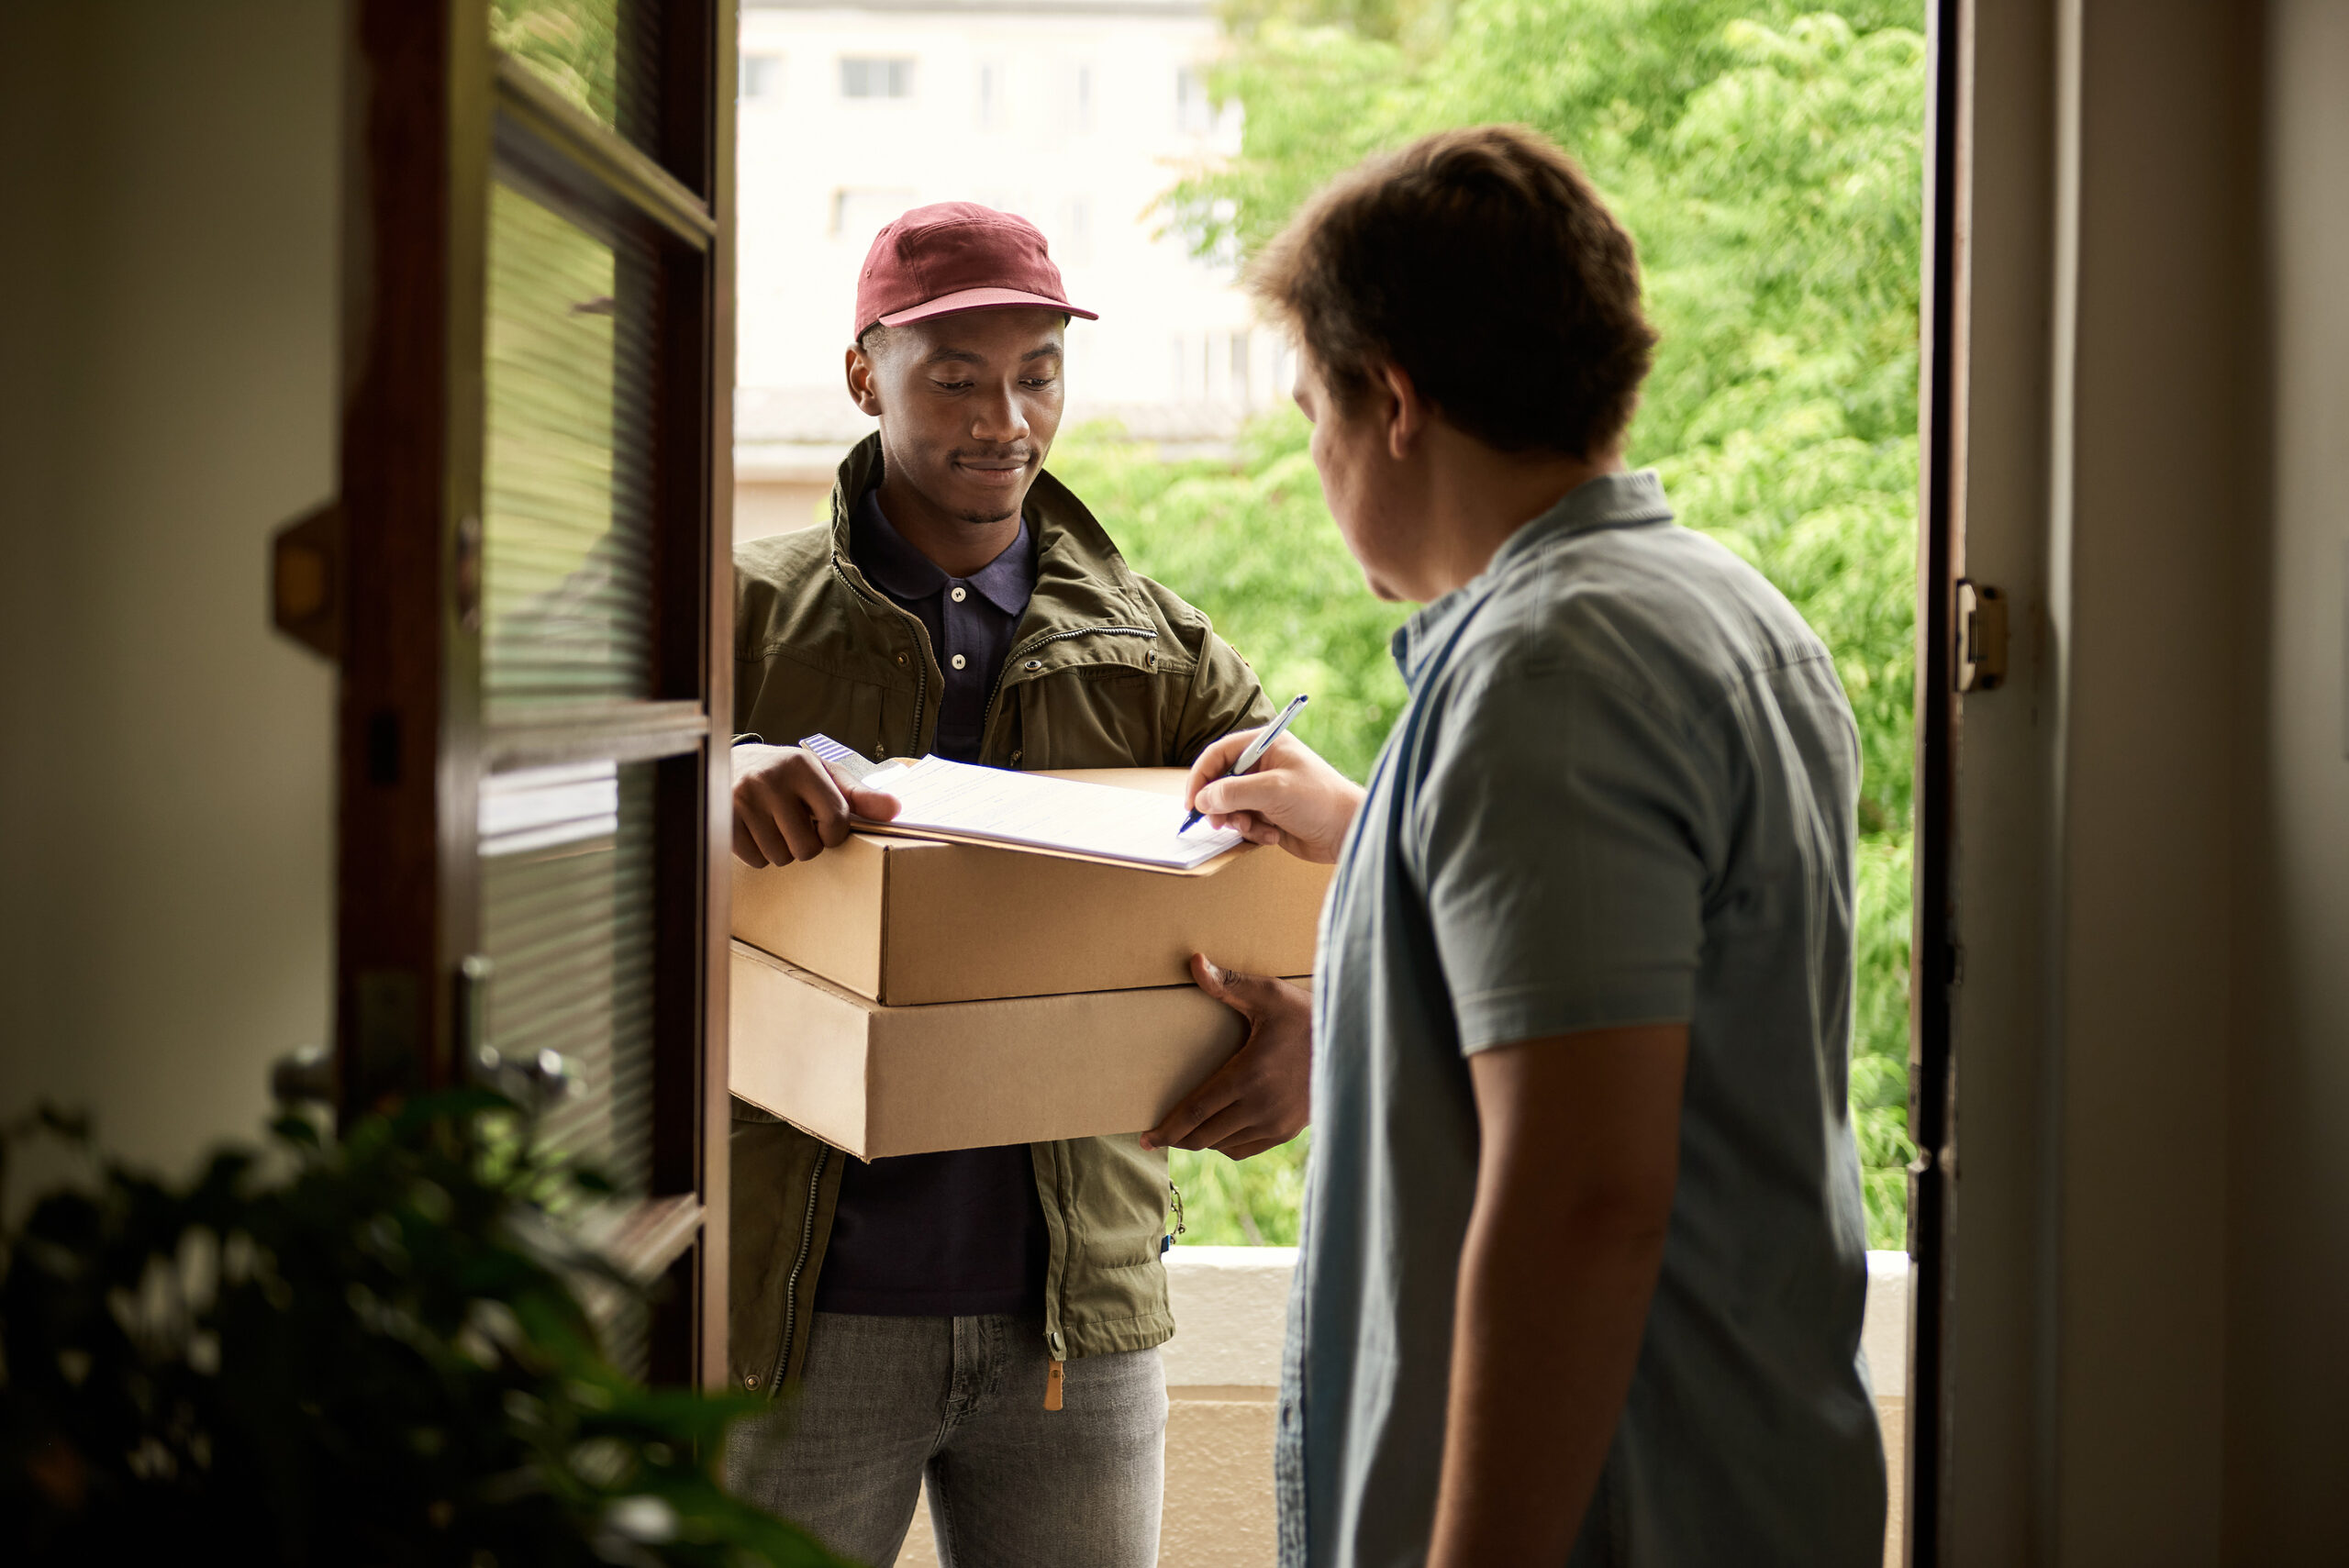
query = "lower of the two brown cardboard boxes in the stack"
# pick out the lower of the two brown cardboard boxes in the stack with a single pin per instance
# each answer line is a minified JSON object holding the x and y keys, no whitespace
{"x":908,"y":1081}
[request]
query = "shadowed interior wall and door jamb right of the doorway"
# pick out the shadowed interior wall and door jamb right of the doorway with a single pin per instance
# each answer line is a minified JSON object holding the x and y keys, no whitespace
{"x":2153,"y":858}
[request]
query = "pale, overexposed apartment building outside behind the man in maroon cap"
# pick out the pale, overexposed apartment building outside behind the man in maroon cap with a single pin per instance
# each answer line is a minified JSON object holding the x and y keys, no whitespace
{"x":1075,"y":114}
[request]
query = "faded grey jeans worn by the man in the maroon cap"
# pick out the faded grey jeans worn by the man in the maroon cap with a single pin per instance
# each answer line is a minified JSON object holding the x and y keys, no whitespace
{"x":960,"y":1400}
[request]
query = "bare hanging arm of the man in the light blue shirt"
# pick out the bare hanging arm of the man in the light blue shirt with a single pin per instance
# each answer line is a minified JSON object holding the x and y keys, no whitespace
{"x":1575,"y":1191}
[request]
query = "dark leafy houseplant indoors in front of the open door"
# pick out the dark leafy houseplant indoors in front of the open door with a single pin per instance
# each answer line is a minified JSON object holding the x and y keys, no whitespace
{"x":358,"y":1353}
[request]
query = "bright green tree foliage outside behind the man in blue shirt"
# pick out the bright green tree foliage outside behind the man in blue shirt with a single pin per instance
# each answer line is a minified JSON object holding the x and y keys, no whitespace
{"x":1768,"y":161}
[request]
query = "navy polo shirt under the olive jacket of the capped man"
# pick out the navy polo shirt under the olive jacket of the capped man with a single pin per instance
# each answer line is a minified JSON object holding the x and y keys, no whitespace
{"x":957,"y":1234}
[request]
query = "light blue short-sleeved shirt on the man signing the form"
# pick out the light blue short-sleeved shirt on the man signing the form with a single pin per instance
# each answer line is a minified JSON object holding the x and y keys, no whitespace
{"x":1622,"y":792}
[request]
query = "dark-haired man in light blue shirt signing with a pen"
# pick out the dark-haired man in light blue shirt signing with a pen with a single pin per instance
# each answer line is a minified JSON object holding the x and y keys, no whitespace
{"x":1584,"y":1243}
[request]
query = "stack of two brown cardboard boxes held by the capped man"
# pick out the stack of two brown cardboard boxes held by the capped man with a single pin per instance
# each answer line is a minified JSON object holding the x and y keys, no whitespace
{"x":898,"y":996}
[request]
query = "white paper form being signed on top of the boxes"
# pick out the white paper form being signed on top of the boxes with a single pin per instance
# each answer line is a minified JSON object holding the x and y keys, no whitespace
{"x":1025,"y":809}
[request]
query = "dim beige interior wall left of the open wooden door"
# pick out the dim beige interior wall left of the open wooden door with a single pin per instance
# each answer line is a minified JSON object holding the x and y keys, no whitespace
{"x":168,"y":398}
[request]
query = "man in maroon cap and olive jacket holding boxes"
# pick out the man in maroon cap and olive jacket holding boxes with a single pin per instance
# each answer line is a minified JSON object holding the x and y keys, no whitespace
{"x":983,"y":1318}
